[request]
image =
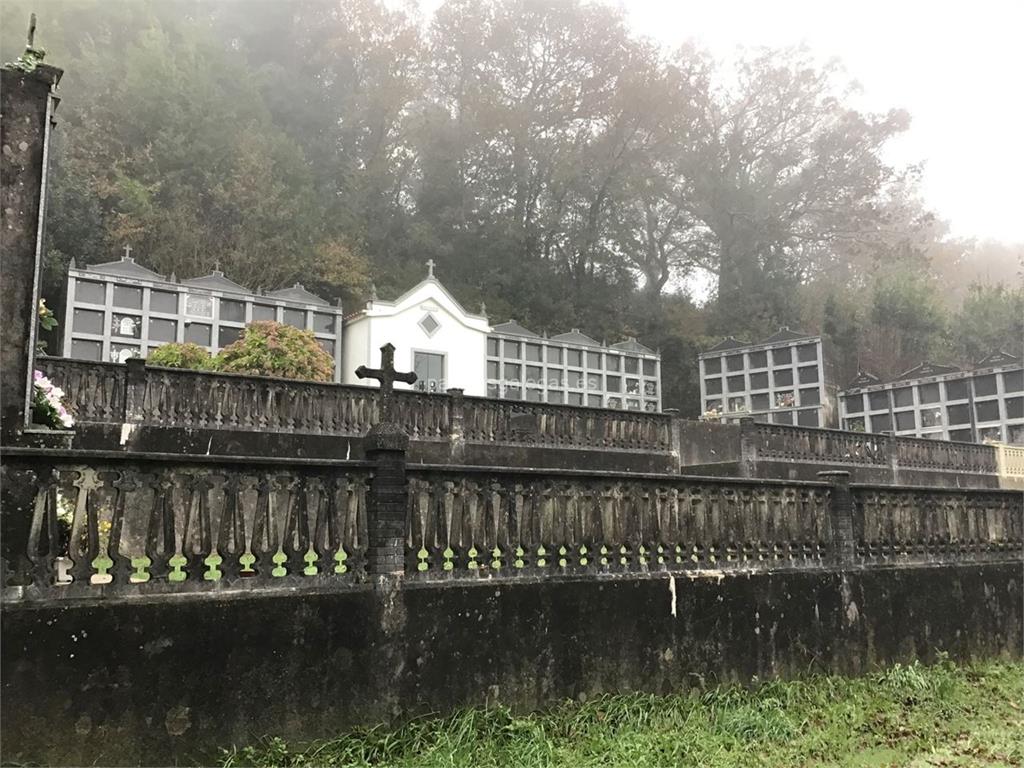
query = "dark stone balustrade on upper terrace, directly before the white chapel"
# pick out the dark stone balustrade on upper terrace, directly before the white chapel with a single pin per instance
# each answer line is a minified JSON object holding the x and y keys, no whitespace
{"x":113,"y":394}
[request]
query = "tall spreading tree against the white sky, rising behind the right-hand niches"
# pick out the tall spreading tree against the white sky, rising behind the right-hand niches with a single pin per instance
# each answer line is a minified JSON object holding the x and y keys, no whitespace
{"x":784,"y":169}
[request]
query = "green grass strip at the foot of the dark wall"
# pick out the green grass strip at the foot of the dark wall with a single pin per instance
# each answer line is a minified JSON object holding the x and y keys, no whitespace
{"x":917,"y":716}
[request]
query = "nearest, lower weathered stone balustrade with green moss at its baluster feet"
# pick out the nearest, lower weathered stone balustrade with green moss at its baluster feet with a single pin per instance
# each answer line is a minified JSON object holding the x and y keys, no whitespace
{"x":108,"y":525}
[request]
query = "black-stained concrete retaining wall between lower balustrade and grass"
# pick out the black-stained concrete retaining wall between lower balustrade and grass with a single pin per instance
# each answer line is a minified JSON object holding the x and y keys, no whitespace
{"x":123,"y":682}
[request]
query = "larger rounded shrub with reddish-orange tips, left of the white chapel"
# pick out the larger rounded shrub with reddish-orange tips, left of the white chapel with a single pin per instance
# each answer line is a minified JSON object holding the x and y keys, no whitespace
{"x":274,"y":350}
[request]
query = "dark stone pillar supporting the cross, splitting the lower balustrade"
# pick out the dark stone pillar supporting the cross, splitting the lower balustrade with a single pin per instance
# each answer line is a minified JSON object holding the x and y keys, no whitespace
{"x":387,"y":445}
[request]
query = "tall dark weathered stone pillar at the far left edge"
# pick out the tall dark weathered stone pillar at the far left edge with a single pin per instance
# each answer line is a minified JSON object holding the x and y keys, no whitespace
{"x":27,"y":104}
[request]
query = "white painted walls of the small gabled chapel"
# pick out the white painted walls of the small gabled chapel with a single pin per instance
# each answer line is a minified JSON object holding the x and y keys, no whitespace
{"x":462,"y":337}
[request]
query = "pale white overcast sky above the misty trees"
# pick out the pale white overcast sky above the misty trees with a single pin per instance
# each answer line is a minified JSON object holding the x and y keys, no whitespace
{"x":957,"y":67}
